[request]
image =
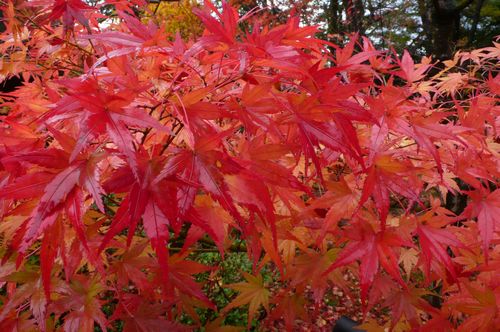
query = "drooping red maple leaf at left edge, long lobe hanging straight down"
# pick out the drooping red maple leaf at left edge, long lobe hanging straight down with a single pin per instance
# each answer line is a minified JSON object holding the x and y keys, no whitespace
{"x":57,"y":192}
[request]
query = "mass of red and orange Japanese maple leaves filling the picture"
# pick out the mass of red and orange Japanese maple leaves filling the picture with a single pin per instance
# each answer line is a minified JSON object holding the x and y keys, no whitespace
{"x":128,"y":151}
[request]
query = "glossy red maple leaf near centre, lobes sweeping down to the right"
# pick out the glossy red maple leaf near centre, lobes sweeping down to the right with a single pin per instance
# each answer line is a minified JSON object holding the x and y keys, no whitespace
{"x":229,"y":185}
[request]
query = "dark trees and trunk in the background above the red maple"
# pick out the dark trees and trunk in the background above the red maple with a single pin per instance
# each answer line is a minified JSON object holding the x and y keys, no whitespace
{"x":423,"y":27}
